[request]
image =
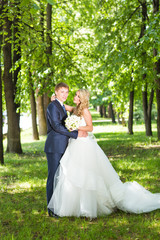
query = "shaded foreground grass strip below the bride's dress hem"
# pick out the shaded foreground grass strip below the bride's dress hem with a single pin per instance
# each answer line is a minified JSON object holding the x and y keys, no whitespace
{"x":24,"y":216}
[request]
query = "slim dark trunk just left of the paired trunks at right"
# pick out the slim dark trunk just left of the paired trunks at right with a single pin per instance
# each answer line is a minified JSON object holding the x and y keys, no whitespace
{"x":130,"y":119}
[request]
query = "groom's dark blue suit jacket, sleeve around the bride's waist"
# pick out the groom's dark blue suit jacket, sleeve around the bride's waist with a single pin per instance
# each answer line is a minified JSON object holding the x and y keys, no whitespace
{"x":57,"y":133}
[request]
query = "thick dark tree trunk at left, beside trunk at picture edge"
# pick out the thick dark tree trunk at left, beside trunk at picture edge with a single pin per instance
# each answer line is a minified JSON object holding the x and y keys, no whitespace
{"x":13,"y":136}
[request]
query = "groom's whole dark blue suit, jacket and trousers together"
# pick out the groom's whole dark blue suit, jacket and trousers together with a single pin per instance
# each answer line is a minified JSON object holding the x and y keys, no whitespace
{"x":56,"y":142}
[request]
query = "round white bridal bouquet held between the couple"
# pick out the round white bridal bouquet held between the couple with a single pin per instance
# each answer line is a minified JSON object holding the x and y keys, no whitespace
{"x":72,"y":122}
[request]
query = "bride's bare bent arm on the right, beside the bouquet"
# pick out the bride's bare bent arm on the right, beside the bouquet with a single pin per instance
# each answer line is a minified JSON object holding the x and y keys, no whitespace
{"x":88,"y":119}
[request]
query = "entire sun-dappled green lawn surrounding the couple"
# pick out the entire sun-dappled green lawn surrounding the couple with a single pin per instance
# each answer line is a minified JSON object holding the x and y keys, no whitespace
{"x":23,"y":213}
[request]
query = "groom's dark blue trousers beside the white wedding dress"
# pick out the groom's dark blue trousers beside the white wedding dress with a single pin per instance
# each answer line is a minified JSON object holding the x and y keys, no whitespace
{"x":53,"y":160}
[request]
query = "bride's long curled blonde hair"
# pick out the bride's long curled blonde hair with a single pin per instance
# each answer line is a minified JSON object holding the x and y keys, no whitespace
{"x":84,"y":102}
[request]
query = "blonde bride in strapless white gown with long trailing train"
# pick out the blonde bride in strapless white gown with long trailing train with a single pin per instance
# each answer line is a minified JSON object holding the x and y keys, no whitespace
{"x":86,"y":184}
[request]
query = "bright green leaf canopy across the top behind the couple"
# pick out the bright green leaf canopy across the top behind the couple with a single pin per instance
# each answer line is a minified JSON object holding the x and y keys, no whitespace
{"x":95,"y":44}
